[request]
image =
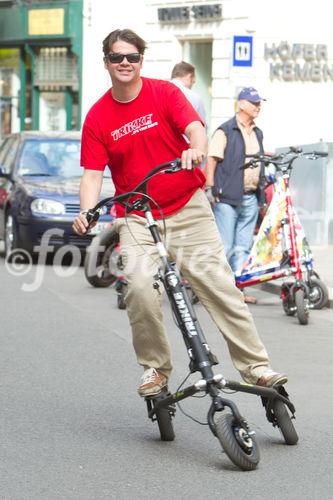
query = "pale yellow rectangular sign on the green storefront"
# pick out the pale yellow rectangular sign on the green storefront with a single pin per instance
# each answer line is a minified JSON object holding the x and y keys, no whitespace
{"x":46,"y":22}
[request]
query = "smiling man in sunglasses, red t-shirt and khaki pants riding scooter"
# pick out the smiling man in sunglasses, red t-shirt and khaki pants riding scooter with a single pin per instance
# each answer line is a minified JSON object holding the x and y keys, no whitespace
{"x":136,"y":125}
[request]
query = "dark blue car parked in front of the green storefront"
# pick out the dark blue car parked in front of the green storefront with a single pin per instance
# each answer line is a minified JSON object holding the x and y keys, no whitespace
{"x":39,"y":190}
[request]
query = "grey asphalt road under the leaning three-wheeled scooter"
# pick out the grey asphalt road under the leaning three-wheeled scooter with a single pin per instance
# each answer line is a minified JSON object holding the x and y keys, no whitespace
{"x":73,"y":427}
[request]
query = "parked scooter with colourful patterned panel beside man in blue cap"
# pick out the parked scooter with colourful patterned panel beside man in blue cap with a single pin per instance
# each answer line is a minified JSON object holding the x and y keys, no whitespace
{"x":298,"y":296}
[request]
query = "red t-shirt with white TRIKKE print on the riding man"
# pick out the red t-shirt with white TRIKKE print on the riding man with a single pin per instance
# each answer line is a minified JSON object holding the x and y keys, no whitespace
{"x":133,"y":138}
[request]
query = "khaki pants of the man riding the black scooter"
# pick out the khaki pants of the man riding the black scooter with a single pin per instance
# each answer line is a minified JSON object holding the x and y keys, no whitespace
{"x":193,"y":241}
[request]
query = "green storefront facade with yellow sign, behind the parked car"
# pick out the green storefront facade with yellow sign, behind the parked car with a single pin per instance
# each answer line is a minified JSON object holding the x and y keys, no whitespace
{"x":40,"y":65}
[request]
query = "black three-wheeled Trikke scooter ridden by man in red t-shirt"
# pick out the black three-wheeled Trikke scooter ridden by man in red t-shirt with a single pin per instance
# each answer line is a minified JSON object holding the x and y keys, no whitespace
{"x":231,"y":429}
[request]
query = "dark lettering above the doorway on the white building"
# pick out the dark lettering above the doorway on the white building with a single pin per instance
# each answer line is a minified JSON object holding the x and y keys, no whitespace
{"x":186,"y":14}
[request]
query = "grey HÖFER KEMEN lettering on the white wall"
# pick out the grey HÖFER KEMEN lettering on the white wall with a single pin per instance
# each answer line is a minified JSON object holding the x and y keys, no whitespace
{"x":299,"y":62}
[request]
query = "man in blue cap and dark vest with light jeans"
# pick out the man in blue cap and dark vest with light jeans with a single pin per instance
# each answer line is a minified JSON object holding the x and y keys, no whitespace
{"x":236,"y":193}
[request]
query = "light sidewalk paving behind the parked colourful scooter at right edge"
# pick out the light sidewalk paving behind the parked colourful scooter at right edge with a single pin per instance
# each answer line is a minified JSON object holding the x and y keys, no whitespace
{"x":323,"y":265}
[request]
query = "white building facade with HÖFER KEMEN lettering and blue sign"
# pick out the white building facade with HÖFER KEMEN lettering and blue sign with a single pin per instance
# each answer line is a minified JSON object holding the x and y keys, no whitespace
{"x":284,"y":49}
